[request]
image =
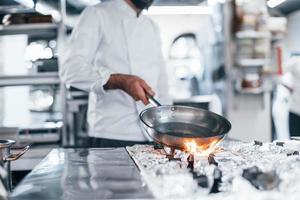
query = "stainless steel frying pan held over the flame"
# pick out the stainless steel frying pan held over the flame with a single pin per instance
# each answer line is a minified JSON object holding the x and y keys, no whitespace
{"x":173,"y":126}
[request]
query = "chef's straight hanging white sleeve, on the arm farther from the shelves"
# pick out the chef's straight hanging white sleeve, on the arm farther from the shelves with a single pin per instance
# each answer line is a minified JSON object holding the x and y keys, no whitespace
{"x":163,"y":83}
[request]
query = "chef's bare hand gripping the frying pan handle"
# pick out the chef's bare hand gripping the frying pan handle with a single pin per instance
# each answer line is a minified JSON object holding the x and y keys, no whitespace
{"x":133,"y":85}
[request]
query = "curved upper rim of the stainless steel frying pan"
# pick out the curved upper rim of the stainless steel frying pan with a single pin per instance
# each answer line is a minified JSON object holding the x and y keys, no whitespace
{"x":188,"y":107}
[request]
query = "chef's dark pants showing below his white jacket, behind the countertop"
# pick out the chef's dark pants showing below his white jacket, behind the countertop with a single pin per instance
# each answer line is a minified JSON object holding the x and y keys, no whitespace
{"x":105,"y":143}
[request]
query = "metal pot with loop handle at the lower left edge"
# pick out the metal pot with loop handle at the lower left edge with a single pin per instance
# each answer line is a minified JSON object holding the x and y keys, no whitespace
{"x":6,"y":156}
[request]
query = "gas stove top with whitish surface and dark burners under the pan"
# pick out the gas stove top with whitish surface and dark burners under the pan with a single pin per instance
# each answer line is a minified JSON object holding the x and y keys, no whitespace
{"x":229,"y":170}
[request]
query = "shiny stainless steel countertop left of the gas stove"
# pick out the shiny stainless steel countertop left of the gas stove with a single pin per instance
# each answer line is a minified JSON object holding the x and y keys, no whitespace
{"x":79,"y":174}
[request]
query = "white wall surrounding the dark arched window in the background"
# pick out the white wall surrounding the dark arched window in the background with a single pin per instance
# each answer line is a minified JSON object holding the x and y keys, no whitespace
{"x":171,"y":26}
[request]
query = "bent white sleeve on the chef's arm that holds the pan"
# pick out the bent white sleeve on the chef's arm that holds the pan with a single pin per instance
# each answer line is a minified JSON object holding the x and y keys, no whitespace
{"x":77,"y":60}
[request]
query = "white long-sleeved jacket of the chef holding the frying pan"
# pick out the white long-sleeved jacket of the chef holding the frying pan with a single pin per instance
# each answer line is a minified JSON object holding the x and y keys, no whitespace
{"x":110,"y":38}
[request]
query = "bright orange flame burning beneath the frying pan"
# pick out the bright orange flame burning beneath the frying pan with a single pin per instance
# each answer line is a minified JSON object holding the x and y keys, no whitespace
{"x":205,"y":149}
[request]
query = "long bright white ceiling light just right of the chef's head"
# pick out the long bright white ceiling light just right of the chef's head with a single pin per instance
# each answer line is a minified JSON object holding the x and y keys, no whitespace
{"x":179,"y":10}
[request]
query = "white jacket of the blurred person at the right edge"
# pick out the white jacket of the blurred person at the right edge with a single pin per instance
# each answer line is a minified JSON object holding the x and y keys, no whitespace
{"x":293,"y":66}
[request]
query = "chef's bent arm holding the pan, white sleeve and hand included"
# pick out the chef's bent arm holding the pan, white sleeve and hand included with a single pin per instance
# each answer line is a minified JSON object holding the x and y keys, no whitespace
{"x":78,"y":70}
